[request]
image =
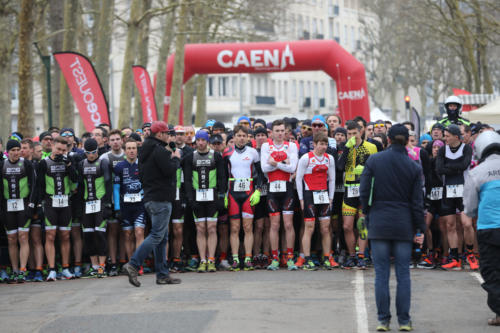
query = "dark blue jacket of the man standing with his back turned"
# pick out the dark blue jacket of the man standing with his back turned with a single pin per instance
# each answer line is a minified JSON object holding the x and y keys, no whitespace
{"x":397,"y":208}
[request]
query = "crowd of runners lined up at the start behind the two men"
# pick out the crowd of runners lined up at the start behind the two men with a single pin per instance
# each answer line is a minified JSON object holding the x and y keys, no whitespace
{"x":259,"y":195}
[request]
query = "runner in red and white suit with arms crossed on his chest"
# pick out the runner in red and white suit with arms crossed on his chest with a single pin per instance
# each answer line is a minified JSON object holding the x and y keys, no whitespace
{"x":279,"y":161}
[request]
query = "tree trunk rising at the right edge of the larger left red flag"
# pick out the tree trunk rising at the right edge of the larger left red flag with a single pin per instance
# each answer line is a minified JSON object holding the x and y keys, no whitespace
{"x":103,"y":43}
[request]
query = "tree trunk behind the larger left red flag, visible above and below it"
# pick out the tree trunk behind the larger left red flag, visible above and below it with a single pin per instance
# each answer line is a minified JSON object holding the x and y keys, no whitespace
{"x":67,"y":112}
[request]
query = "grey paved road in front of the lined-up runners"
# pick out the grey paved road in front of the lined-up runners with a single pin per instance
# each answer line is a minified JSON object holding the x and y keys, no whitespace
{"x":260,"y":301}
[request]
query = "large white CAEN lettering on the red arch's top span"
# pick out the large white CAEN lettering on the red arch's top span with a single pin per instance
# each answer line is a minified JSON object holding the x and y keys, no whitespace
{"x":258,"y":59}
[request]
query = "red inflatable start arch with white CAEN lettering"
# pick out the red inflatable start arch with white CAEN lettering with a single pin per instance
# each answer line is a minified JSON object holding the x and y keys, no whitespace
{"x":264,"y":57}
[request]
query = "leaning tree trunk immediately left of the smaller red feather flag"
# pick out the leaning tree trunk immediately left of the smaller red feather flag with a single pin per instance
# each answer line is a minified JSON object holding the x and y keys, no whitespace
{"x":128,"y":60}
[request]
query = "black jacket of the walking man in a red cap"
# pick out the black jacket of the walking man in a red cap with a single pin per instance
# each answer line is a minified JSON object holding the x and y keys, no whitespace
{"x":157,"y":170}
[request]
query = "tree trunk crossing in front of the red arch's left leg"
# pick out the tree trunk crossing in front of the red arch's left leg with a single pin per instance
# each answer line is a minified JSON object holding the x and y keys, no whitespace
{"x":177,"y":80}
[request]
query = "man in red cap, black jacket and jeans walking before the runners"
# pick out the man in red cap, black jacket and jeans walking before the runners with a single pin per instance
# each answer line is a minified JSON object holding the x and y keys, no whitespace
{"x":157,"y":169}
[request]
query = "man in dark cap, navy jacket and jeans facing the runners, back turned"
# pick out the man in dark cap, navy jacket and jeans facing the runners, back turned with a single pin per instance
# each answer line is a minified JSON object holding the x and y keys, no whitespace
{"x":391,"y":177}
